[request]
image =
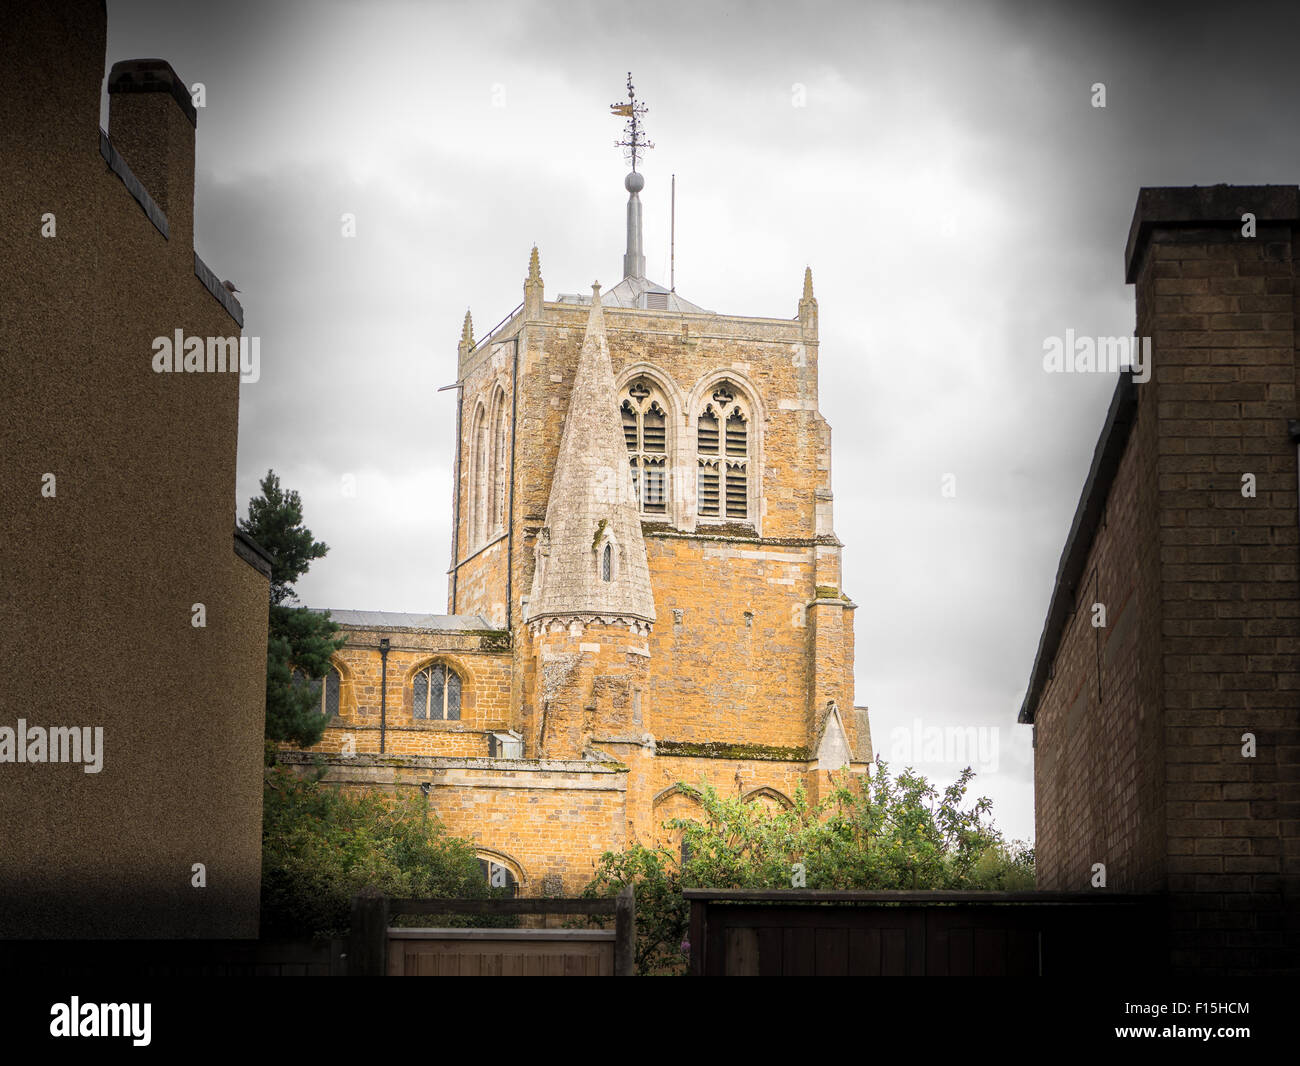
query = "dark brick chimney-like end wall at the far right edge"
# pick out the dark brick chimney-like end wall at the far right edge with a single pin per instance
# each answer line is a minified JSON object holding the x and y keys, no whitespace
{"x":1220,"y":310}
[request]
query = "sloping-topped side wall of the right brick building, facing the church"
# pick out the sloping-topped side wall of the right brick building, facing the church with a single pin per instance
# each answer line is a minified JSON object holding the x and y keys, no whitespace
{"x":1098,"y":772}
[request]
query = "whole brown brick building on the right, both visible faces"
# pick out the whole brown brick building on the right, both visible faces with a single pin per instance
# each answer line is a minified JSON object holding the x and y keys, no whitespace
{"x":1151,"y":770}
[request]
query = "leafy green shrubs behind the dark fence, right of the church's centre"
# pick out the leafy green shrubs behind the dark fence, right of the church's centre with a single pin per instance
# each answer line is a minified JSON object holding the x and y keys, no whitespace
{"x":876,"y":833}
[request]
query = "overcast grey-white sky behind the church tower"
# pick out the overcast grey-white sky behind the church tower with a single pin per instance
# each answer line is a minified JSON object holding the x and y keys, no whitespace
{"x":950,"y":183}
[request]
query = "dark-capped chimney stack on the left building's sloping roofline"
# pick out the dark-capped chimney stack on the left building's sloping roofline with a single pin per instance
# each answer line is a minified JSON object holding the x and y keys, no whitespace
{"x":151,"y":124}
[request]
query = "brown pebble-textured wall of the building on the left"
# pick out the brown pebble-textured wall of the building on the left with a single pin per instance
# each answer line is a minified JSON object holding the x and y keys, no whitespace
{"x":101,"y":579}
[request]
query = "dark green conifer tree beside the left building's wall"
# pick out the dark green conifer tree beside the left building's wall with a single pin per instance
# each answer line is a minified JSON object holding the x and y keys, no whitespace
{"x":297,"y":638}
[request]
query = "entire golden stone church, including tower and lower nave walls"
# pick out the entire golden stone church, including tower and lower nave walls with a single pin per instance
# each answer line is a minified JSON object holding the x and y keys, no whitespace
{"x":644,"y":588}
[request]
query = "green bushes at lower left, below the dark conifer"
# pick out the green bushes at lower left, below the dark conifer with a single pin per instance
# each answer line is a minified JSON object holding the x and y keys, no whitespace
{"x":322,"y":847}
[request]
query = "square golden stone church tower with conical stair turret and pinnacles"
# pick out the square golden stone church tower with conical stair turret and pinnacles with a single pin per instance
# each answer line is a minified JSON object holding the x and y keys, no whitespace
{"x":645,"y":504}
